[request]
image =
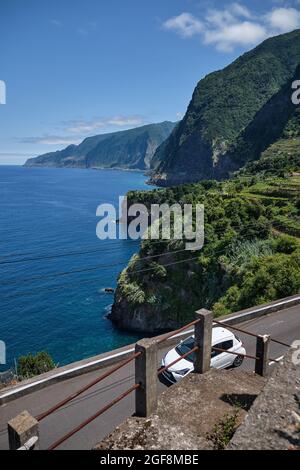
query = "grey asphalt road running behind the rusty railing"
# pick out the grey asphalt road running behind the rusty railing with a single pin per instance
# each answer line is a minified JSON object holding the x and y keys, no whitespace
{"x":283,"y":325}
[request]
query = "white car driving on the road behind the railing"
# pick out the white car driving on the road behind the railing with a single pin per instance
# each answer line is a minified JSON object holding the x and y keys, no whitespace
{"x":221,"y":338}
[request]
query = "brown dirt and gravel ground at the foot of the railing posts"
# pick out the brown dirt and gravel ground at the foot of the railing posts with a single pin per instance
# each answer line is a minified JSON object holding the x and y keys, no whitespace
{"x":188,"y":412}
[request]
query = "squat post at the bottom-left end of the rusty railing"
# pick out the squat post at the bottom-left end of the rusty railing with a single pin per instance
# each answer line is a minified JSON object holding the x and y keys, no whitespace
{"x":22,"y":429}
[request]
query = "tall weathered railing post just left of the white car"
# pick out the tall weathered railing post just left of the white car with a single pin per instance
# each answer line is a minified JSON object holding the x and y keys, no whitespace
{"x":146,"y":377}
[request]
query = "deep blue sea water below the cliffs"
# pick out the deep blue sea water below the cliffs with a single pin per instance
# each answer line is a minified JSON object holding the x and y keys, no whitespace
{"x":46,"y":212}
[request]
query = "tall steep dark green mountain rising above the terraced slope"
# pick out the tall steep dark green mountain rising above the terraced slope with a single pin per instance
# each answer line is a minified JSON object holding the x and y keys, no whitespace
{"x":233,"y":115}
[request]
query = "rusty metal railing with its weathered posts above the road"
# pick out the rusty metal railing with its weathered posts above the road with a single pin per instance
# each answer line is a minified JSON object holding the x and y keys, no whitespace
{"x":146,"y":372}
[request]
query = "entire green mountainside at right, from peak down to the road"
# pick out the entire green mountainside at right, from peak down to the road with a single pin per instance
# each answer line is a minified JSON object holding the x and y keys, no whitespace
{"x":240,"y":120}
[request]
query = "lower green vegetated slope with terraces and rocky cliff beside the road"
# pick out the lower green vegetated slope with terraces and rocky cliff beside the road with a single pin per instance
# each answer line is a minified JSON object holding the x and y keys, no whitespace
{"x":247,"y":259}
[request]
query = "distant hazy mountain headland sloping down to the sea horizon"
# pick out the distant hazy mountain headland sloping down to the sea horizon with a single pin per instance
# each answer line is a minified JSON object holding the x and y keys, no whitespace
{"x":130,"y":149}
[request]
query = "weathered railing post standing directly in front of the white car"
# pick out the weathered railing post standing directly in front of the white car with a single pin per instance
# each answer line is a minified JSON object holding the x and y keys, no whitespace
{"x":203,"y":340}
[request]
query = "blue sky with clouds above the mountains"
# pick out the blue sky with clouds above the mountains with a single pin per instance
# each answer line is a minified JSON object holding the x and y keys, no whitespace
{"x":75,"y":68}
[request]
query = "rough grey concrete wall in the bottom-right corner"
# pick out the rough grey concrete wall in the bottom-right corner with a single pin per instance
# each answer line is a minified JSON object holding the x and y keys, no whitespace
{"x":273,"y":422}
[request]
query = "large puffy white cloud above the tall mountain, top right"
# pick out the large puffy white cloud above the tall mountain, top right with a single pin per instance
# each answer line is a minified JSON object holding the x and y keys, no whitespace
{"x":235,"y":25}
